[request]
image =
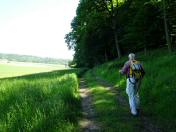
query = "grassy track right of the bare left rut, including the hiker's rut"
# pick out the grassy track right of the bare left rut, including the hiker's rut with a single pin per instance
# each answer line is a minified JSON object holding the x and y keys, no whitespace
{"x":112,"y":109}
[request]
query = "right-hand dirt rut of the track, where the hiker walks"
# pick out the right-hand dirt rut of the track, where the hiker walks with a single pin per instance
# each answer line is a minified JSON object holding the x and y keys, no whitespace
{"x":145,"y":124}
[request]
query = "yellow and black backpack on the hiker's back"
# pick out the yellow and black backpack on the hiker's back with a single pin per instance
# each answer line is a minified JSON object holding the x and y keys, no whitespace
{"x":136,"y":70}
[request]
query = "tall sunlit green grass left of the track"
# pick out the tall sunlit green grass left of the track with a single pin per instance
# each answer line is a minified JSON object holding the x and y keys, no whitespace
{"x":41,"y":102}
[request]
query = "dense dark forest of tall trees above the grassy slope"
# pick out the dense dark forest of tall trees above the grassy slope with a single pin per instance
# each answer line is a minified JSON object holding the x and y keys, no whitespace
{"x":103,"y":30}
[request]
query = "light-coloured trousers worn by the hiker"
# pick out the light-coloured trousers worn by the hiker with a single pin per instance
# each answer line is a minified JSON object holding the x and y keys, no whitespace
{"x":132,"y":91}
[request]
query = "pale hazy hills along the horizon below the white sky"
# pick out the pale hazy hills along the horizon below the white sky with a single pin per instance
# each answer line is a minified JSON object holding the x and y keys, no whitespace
{"x":34,"y":59}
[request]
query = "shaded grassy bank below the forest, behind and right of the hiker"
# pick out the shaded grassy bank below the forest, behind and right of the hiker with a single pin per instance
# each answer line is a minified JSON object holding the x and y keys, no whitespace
{"x":158,"y":92}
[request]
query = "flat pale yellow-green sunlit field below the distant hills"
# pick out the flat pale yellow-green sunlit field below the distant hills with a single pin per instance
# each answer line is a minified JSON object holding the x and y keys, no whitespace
{"x":17,"y":69}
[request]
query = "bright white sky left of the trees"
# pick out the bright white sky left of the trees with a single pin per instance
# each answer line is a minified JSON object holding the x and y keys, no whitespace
{"x":36,"y":27}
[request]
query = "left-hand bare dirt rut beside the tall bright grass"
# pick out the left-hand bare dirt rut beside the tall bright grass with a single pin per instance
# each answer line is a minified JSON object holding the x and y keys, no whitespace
{"x":87,"y":124}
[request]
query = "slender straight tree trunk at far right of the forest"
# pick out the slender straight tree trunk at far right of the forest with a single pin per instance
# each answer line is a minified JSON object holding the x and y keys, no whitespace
{"x":166,"y":28}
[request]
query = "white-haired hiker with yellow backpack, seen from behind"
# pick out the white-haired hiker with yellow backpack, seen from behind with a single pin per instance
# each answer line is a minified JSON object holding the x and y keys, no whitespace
{"x":134,"y":73}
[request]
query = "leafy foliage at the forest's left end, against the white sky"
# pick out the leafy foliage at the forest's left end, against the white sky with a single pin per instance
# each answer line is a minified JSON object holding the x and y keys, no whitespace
{"x":91,"y":34}
